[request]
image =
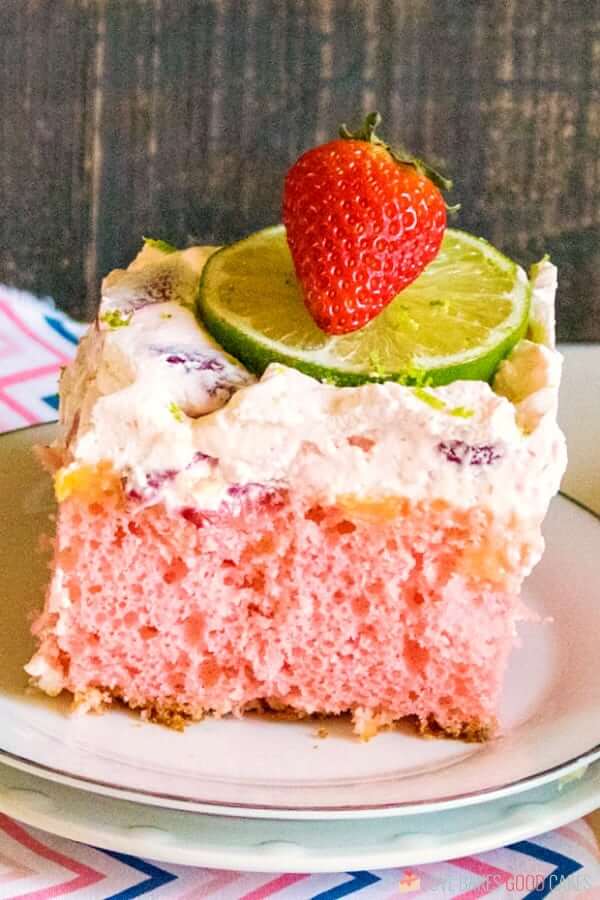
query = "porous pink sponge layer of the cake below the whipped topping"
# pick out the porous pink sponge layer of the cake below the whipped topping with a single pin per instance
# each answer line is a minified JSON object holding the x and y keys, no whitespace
{"x":384,"y":611}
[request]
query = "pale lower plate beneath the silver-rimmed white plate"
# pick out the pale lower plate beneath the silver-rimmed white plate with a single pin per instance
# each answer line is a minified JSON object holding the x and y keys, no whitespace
{"x":263,"y":845}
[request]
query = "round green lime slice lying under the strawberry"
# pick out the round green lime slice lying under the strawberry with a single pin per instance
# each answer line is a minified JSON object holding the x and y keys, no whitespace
{"x":457,"y":320}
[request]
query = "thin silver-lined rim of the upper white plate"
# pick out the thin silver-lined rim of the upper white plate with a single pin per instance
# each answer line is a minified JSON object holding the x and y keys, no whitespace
{"x":289,"y":811}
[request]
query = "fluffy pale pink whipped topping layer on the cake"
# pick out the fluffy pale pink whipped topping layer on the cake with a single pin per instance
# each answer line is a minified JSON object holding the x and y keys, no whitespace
{"x":186,"y":424}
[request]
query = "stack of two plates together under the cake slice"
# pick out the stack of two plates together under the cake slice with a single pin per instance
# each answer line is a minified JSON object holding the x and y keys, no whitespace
{"x":303,"y":796}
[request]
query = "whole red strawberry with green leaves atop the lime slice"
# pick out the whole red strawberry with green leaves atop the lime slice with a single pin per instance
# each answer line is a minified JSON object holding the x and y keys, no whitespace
{"x":362,"y":223}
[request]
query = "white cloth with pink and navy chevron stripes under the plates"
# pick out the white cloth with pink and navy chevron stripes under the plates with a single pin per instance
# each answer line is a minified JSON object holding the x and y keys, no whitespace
{"x":35,"y":341}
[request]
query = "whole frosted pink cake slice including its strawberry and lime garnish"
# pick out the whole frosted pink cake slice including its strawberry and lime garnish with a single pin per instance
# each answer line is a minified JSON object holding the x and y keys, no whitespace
{"x":336,"y":515}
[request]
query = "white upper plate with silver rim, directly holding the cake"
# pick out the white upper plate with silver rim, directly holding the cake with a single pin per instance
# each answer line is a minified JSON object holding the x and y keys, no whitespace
{"x":255,"y":767}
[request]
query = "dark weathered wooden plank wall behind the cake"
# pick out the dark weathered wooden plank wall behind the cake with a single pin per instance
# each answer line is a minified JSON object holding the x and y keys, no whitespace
{"x":178,"y":119}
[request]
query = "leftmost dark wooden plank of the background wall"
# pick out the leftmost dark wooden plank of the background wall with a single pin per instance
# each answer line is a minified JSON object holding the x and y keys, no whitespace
{"x":46,"y":75}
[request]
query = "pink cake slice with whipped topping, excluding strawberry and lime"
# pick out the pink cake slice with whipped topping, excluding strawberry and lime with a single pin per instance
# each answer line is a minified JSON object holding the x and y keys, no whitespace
{"x":226,"y":543}
